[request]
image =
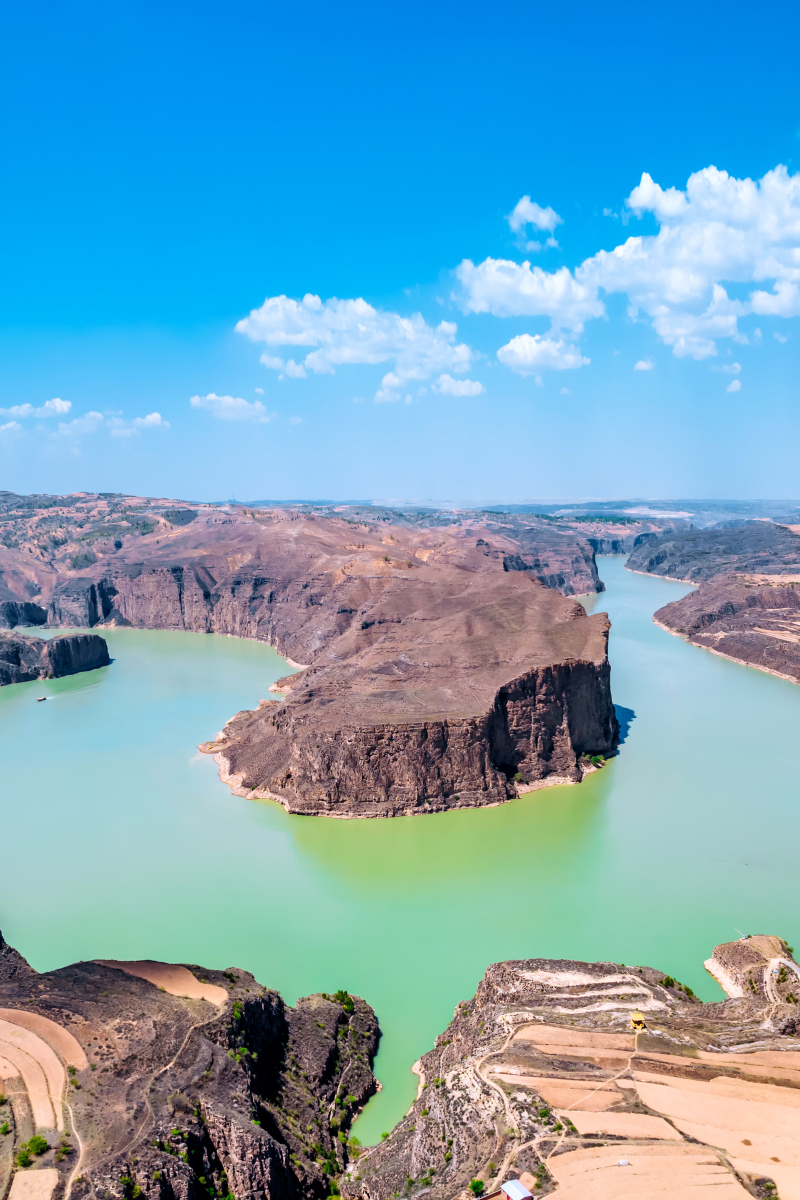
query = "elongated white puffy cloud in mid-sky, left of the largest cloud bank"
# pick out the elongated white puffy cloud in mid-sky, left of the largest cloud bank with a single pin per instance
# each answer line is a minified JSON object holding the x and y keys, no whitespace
{"x":341,"y":333}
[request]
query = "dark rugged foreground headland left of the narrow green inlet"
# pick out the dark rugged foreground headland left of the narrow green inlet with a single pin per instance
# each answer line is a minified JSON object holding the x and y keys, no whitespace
{"x":187,"y":1097}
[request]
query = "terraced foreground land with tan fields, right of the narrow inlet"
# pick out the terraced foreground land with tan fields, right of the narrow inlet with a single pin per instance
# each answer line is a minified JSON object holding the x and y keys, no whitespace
{"x":597,"y":1079}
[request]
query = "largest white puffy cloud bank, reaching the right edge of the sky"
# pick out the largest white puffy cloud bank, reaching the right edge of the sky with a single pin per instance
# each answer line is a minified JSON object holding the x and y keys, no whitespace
{"x":718,"y":232}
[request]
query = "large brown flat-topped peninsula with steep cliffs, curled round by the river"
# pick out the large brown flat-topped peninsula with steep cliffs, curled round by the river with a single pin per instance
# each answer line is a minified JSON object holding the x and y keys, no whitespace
{"x":438,"y":670}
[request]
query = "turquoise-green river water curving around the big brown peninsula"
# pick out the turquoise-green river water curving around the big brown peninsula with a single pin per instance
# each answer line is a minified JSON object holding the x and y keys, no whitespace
{"x":118,"y":839}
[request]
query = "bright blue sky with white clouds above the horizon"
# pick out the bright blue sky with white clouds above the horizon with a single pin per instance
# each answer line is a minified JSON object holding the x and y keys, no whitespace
{"x":171,"y":172}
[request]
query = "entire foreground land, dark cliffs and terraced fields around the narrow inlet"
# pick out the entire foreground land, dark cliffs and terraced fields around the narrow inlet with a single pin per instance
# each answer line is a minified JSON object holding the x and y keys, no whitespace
{"x":584,"y":1079}
